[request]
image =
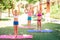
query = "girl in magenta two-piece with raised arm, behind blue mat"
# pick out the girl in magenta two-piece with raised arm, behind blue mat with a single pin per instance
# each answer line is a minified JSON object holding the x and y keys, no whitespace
{"x":39,"y":16}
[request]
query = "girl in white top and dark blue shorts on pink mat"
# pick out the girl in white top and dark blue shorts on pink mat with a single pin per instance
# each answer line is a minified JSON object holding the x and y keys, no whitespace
{"x":15,"y":23}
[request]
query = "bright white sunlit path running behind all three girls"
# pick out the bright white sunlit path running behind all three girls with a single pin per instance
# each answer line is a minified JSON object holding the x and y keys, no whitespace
{"x":22,"y":20}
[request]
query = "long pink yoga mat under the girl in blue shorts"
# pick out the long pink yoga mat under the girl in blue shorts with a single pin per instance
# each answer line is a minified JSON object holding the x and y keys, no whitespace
{"x":18,"y":36}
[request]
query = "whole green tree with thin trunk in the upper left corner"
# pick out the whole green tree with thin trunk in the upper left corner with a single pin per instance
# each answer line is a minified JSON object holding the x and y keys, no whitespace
{"x":6,"y":4}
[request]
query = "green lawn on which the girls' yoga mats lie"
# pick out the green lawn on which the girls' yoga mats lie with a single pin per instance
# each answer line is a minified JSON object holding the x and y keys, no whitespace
{"x":55,"y":35}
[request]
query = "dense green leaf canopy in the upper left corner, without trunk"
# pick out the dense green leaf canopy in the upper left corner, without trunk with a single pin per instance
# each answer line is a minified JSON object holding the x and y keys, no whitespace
{"x":6,"y":4}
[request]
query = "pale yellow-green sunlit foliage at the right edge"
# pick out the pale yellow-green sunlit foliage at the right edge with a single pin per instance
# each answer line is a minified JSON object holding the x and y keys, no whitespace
{"x":55,"y":12}
